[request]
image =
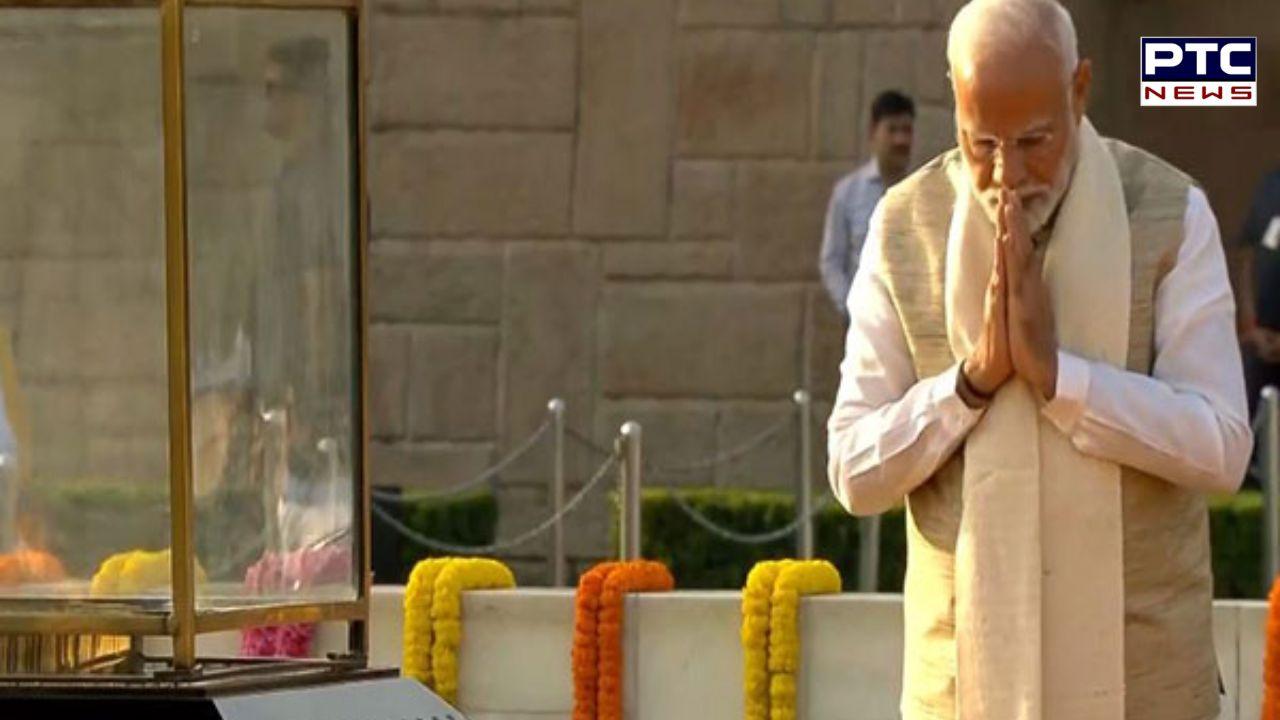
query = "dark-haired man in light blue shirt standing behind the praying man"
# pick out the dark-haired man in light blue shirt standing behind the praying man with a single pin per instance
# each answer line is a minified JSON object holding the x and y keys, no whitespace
{"x":858,"y":193}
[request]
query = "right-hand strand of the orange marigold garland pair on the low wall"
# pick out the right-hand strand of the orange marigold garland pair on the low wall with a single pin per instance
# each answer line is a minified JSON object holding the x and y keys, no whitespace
{"x":641,"y":576}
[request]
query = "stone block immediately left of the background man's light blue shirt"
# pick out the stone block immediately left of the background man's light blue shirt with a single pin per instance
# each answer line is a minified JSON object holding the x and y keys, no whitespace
{"x":780,"y":211}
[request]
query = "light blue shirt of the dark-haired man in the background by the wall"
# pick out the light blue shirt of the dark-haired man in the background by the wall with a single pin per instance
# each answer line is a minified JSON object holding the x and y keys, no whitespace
{"x":848,"y":216}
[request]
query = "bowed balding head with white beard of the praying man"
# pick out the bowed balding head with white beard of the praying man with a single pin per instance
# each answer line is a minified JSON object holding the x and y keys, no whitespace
{"x":1021,"y":92}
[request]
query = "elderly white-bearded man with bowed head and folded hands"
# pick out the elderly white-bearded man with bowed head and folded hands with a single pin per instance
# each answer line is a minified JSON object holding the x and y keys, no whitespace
{"x":1043,"y":362}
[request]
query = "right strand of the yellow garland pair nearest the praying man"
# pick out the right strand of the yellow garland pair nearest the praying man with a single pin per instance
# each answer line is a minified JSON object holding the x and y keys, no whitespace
{"x":801,"y":578}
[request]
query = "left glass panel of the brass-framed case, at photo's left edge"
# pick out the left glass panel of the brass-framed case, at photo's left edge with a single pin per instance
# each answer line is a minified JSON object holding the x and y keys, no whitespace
{"x":84,"y":420}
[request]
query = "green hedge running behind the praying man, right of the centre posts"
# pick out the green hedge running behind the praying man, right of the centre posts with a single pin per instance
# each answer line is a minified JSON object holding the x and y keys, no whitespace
{"x":701,"y":560}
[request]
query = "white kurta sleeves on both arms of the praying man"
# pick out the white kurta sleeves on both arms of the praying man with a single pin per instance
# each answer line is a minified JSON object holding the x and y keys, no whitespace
{"x":892,"y":431}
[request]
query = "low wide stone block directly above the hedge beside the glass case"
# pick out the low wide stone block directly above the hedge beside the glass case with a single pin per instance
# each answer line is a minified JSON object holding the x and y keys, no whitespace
{"x":427,"y":466}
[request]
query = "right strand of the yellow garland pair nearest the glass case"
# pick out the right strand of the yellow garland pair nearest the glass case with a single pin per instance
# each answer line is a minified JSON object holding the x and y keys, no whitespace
{"x":458,"y":577}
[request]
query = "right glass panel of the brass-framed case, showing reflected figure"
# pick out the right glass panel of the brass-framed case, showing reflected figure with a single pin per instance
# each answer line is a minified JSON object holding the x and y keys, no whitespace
{"x":272,"y":222}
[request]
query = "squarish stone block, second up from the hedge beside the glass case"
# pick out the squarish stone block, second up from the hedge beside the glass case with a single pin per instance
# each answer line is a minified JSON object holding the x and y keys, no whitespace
{"x":452,"y":385}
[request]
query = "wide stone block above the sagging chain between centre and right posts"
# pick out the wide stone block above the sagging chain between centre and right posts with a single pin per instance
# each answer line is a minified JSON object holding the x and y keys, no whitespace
{"x":701,"y":341}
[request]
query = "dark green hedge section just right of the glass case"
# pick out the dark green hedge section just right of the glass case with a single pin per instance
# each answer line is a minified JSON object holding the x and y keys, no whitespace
{"x":465,"y":520}
